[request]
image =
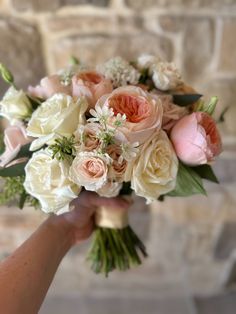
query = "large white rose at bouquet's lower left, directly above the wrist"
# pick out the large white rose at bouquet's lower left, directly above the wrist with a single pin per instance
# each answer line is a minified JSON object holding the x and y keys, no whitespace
{"x":47,"y":180}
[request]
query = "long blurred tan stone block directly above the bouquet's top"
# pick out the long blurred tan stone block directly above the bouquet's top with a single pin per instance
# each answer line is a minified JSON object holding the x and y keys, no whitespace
{"x":94,"y":49}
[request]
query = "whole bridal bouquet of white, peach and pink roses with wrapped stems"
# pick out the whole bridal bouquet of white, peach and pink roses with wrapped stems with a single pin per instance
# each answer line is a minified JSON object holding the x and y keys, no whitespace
{"x":119,"y":128}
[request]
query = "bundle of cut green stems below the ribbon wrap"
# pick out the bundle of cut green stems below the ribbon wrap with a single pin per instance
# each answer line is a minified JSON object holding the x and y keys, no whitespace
{"x":115,"y":249}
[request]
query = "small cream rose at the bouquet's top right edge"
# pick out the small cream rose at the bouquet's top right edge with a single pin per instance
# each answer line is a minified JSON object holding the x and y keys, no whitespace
{"x":165,"y":76}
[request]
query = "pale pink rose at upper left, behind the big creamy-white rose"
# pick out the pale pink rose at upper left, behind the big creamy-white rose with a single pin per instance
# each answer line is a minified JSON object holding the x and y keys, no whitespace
{"x":49,"y":86}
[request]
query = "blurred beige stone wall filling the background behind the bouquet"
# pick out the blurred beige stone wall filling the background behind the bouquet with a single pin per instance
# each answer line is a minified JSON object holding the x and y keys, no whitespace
{"x":192,"y":242}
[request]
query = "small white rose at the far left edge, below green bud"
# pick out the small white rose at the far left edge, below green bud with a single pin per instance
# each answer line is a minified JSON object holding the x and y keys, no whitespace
{"x":15,"y":105}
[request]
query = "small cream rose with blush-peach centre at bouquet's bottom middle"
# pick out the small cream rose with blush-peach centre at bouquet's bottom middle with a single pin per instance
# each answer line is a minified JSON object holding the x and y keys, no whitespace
{"x":90,"y":170}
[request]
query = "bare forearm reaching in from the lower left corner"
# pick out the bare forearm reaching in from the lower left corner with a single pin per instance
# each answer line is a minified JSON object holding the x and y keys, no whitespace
{"x":26,"y":275}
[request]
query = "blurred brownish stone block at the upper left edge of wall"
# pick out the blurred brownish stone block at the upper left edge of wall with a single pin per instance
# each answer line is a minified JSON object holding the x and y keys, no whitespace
{"x":21,"y":51}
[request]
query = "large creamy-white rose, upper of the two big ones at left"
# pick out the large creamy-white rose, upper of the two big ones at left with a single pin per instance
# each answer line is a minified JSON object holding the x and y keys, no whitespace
{"x":59,"y":114}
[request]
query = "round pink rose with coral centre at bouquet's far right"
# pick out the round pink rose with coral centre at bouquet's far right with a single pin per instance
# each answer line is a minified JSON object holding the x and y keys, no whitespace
{"x":196,"y":139}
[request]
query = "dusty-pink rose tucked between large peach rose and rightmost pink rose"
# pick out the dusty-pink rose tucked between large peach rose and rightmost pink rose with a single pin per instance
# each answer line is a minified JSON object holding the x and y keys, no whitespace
{"x":171,"y":112}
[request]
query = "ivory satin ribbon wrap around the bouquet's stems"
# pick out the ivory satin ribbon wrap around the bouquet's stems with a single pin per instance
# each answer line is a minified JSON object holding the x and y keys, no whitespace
{"x":107,"y":217}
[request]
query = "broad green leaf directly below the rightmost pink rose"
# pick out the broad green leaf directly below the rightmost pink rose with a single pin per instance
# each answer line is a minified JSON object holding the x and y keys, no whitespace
{"x":188,"y":182}
